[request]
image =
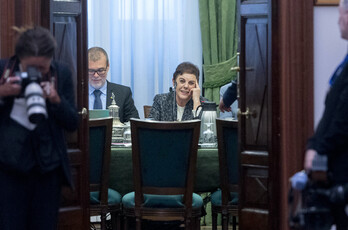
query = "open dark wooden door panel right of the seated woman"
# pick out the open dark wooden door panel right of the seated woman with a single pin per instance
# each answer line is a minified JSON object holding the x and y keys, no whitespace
{"x":254,"y":115}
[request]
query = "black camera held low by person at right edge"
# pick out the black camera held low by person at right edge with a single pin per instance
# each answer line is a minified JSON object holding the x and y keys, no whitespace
{"x":311,"y":197}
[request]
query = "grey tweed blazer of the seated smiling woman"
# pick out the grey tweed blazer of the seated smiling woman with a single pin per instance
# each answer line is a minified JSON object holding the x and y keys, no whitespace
{"x":164,"y":108}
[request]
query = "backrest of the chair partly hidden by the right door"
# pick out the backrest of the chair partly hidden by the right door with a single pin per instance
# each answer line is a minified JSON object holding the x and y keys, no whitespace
{"x":227,"y":135}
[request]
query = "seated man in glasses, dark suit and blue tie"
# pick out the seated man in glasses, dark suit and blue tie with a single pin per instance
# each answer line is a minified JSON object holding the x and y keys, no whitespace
{"x":100,"y":90}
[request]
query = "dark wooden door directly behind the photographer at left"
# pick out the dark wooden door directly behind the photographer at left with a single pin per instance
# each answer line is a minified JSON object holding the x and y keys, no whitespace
{"x":67,"y":21}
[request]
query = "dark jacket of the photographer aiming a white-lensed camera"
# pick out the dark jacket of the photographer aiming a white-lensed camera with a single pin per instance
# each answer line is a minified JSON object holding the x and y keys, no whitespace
{"x":43,"y":148}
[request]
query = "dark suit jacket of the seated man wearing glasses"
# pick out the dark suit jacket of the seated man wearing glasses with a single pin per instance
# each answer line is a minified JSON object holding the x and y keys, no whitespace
{"x":123,"y":98}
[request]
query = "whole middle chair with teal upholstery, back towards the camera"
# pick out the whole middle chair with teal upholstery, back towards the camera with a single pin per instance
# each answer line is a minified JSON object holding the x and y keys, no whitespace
{"x":164,"y":162}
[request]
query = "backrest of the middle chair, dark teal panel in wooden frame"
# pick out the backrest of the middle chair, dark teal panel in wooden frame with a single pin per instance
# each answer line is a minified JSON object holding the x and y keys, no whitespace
{"x":164,"y":158}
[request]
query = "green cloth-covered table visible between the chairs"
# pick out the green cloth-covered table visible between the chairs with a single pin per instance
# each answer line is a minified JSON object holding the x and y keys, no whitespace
{"x":121,"y":171}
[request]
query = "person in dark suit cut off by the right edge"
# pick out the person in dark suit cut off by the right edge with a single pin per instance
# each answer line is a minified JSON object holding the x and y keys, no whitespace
{"x":331,"y":135}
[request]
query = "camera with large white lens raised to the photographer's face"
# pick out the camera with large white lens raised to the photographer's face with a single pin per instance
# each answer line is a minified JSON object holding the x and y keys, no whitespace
{"x":33,"y":94}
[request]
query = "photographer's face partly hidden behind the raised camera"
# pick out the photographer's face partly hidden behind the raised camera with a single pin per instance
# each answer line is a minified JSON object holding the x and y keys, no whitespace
{"x":41,"y":63}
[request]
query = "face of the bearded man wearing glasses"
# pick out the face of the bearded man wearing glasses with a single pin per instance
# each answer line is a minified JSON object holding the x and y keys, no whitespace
{"x":97,"y":72}
